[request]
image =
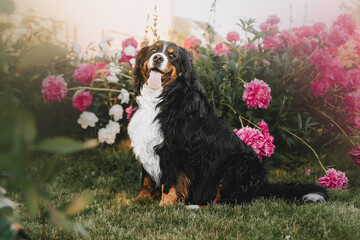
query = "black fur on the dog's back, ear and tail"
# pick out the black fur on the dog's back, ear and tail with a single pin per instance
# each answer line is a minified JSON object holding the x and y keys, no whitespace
{"x":199,"y":143}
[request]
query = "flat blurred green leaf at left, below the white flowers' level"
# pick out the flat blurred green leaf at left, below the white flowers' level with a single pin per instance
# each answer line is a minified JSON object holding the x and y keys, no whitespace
{"x":63,"y":145}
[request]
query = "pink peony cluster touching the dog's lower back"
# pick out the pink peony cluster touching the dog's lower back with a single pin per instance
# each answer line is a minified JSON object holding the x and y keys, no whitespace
{"x":260,"y":142}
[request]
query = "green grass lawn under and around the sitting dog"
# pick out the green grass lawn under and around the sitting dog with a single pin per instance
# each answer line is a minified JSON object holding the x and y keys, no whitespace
{"x":114,"y":180}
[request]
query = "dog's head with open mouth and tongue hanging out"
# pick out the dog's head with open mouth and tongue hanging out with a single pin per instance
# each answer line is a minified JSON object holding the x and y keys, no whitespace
{"x":160,"y":65}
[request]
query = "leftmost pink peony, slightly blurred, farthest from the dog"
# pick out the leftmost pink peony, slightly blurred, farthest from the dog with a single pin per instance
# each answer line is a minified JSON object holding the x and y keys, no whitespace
{"x":54,"y":89}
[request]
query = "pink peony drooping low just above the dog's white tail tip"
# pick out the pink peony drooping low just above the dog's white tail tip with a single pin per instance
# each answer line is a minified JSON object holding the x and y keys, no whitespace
{"x":334,"y":179}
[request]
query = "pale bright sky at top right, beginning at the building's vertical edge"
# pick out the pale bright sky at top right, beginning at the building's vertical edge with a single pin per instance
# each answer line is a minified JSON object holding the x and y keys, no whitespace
{"x":293,"y":13}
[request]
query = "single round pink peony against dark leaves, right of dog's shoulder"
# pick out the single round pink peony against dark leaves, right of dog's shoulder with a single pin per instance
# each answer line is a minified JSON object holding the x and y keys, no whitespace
{"x":257,"y":94}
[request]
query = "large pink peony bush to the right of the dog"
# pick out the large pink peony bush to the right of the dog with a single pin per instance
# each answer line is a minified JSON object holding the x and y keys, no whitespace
{"x":309,"y":92}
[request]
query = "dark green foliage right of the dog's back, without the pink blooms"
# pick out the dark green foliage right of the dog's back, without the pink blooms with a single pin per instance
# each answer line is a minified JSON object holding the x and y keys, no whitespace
{"x":291,"y":107}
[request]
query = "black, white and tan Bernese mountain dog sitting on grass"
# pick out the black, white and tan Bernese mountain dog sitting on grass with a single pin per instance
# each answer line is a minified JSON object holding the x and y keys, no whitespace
{"x":187,"y":151}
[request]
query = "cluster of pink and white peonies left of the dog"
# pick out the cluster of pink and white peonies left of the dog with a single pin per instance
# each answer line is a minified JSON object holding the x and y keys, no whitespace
{"x":101,"y":87}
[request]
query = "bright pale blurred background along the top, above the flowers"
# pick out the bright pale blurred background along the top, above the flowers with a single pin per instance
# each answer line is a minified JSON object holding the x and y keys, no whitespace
{"x":86,"y":21}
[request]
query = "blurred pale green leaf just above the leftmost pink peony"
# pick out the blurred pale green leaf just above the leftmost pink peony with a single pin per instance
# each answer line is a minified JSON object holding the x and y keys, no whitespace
{"x":38,"y":55}
